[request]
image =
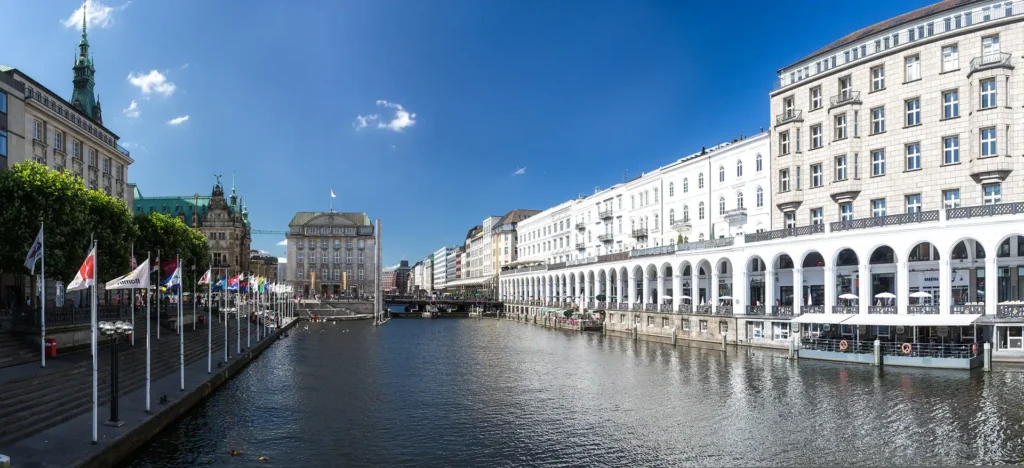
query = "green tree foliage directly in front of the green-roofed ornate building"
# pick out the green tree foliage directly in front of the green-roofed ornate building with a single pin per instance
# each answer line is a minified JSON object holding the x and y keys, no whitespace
{"x":172,"y":237}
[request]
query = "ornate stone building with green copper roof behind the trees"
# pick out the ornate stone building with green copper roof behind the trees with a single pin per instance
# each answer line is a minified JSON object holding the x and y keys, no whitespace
{"x":225,"y":222}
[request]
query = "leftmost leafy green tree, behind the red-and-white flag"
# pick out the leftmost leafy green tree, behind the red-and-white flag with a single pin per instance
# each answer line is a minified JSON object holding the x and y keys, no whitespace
{"x":35,"y":195}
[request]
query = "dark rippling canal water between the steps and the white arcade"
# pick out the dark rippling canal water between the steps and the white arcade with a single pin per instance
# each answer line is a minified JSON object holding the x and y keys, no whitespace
{"x":488,"y":393}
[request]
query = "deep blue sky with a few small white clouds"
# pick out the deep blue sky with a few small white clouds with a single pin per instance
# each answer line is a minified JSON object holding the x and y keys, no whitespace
{"x":430,"y":115}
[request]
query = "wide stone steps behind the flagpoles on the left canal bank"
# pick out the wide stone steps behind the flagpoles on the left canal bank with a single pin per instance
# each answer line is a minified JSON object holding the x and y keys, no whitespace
{"x":53,"y":397}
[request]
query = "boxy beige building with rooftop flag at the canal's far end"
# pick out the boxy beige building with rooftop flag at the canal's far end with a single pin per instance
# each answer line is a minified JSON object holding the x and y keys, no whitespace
{"x":331,"y":253}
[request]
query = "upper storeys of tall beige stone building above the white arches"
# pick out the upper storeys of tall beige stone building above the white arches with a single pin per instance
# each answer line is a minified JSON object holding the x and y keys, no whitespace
{"x":912,"y":115}
